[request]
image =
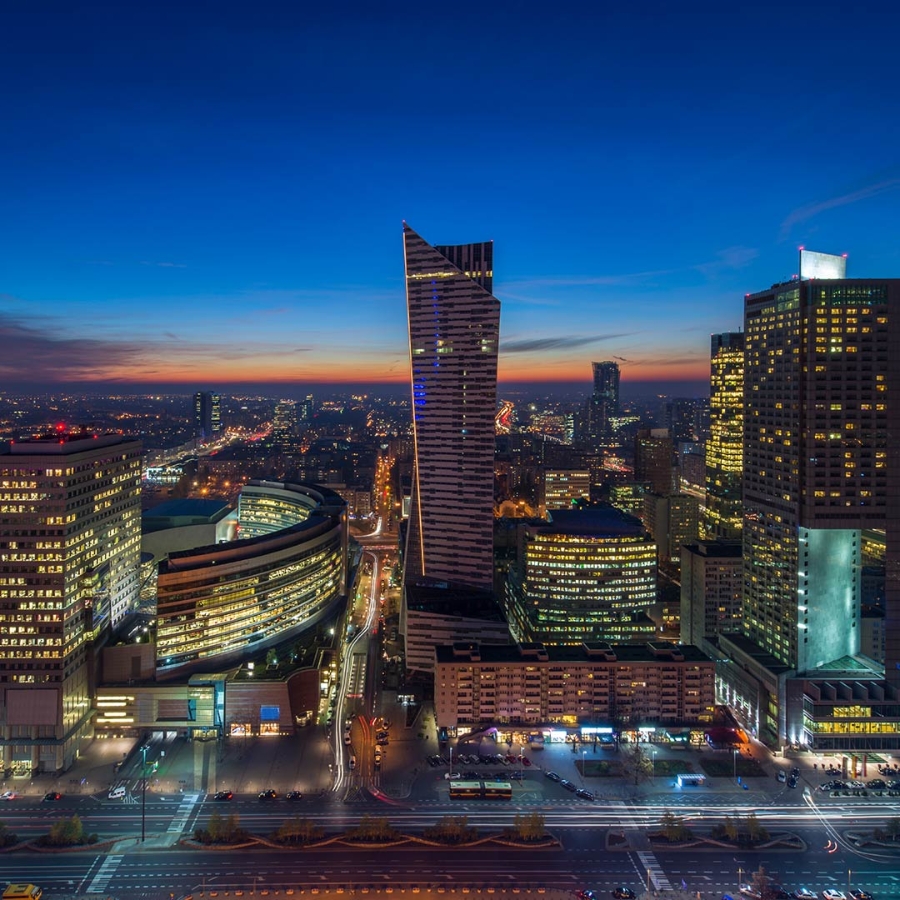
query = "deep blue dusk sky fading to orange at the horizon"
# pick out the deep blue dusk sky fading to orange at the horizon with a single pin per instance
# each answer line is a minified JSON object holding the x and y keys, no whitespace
{"x":213,"y":193}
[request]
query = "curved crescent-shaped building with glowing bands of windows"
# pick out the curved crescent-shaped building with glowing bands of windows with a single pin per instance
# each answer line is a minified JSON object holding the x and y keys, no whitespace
{"x":285,"y":572}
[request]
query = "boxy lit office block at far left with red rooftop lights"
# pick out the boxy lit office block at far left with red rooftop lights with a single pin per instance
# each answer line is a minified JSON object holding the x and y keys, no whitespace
{"x":70,"y":537}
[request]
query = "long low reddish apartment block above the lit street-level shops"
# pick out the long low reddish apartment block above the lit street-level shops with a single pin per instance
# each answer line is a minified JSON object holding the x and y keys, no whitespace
{"x":531,"y":684}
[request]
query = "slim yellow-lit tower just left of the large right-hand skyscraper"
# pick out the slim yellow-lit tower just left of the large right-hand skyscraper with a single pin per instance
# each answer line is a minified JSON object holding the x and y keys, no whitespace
{"x":725,"y":447}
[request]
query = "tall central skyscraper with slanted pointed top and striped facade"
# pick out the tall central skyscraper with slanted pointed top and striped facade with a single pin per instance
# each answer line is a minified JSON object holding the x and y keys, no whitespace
{"x":454,"y":325}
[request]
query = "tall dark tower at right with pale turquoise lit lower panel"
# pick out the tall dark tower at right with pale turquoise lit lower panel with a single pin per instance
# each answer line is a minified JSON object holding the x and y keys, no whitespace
{"x":818,"y":423}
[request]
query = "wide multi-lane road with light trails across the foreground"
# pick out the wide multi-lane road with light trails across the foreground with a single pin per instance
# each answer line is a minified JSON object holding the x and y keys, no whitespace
{"x":134,"y":871}
